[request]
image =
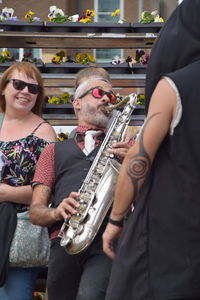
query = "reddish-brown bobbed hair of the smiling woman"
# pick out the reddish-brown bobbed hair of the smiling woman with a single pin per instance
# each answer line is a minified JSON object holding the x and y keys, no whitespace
{"x":31,"y":71}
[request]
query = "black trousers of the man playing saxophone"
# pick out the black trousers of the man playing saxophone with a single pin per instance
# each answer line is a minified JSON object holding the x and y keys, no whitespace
{"x":82,"y":276}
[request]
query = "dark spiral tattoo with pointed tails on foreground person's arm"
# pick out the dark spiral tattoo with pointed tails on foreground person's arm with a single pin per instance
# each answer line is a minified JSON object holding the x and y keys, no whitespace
{"x":139,"y":165}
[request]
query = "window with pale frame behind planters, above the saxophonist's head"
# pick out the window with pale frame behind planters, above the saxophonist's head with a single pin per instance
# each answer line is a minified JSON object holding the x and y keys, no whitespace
{"x":104,"y":9}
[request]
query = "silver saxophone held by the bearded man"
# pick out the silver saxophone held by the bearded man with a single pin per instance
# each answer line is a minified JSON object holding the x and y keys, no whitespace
{"x":97,"y":190}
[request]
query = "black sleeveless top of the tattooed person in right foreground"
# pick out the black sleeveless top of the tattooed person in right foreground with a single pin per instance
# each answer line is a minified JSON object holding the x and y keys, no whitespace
{"x":159,"y":254}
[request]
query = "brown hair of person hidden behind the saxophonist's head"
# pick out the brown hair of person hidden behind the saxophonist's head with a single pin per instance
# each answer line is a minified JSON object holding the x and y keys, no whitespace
{"x":91,"y":71}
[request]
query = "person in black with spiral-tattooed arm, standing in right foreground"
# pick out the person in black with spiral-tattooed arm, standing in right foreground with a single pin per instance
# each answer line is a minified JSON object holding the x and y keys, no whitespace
{"x":158,"y":251}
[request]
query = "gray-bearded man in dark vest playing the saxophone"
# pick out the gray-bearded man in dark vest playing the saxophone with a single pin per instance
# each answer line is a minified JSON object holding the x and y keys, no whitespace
{"x":61,"y":171}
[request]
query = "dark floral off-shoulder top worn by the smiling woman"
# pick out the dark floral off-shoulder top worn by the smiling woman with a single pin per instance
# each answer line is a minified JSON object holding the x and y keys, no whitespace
{"x":21,"y":158}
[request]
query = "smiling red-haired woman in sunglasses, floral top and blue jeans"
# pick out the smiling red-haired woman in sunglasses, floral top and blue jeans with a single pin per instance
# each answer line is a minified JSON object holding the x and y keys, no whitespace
{"x":23,"y":135}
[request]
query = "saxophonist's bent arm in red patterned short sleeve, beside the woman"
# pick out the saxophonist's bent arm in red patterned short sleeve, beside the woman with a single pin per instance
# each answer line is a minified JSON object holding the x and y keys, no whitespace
{"x":40,"y":212}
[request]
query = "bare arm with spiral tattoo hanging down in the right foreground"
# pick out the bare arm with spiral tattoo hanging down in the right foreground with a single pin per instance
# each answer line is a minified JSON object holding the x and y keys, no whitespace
{"x":139,"y":158}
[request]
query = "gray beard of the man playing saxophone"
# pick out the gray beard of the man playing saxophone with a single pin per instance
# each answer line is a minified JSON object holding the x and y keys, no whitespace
{"x":94,"y":117}
